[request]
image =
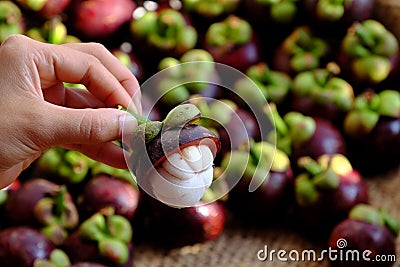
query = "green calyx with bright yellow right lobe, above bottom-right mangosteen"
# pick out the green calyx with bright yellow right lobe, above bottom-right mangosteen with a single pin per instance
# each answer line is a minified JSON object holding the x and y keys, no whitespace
{"x":321,"y":174}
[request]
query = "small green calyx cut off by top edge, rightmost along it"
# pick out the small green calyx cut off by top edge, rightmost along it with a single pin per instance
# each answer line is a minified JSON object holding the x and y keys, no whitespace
{"x":331,"y":10}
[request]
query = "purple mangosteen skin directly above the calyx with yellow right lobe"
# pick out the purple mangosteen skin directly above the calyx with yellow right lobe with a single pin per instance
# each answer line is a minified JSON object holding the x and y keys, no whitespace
{"x":327,"y":139}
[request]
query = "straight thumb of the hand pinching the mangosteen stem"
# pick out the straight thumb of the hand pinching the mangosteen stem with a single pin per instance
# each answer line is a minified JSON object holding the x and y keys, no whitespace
{"x":86,"y":126}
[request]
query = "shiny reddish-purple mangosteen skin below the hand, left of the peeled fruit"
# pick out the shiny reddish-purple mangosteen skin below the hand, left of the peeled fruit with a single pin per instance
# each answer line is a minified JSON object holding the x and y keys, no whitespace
{"x":106,"y":191}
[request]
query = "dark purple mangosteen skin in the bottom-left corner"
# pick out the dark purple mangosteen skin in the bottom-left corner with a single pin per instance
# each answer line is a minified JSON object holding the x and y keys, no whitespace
{"x":20,"y":246}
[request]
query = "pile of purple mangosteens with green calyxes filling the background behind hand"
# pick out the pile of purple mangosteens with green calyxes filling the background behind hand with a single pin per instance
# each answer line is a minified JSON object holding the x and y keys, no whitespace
{"x":324,"y":73}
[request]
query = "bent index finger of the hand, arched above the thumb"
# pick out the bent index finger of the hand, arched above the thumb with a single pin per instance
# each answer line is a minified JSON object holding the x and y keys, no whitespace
{"x":63,"y":63}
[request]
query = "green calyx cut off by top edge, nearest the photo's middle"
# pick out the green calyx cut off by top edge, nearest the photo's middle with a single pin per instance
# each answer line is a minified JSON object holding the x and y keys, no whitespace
{"x":210,"y":8}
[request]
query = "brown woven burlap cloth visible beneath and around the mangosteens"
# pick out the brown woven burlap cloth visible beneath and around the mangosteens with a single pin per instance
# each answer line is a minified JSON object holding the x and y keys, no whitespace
{"x":238,"y":246}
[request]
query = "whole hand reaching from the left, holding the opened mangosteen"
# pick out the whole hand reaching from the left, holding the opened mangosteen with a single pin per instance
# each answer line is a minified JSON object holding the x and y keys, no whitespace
{"x":39,"y":112}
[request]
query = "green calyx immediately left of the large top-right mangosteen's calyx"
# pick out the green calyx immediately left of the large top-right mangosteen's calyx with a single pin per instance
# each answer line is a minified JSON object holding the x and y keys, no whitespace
{"x":305,"y":49}
